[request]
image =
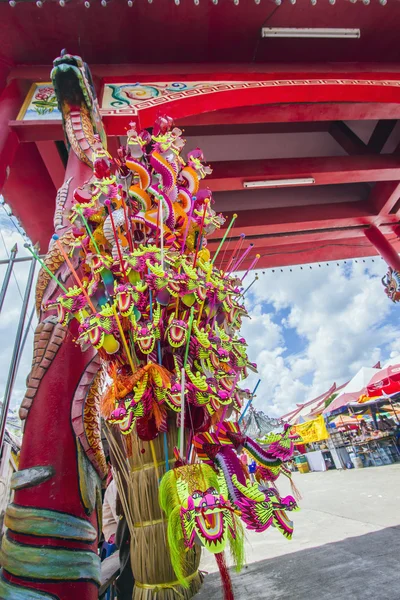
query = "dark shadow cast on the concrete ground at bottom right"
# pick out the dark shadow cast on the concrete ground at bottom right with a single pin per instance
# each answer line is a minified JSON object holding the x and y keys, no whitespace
{"x":359,"y":568}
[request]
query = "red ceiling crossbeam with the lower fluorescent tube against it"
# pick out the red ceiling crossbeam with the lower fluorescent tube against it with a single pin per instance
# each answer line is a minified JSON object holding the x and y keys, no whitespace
{"x":231,"y":175}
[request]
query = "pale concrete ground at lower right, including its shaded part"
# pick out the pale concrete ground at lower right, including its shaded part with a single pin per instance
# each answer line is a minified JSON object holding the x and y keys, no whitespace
{"x":346,"y":543}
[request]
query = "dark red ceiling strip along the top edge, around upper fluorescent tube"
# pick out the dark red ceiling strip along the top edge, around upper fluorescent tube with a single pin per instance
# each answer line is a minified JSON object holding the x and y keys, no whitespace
{"x":162,"y":31}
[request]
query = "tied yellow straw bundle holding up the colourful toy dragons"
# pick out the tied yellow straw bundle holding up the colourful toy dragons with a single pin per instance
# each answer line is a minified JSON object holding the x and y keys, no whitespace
{"x":141,"y":465}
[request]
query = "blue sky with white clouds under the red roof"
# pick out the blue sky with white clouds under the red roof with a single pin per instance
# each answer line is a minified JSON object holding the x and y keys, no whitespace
{"x":308,"y":327}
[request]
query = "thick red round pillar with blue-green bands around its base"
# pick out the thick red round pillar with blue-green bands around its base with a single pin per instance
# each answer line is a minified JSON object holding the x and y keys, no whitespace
{"x":50,"y":548}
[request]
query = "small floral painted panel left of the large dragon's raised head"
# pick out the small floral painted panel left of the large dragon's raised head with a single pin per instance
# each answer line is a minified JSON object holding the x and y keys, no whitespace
{"x":40,"y":104}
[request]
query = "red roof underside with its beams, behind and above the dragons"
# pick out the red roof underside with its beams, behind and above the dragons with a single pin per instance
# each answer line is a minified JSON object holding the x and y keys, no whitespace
{"x":288,"y":226}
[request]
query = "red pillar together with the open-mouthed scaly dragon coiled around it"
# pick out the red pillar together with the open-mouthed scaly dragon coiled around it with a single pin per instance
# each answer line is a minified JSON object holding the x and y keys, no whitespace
{"x":50,"y":549}
